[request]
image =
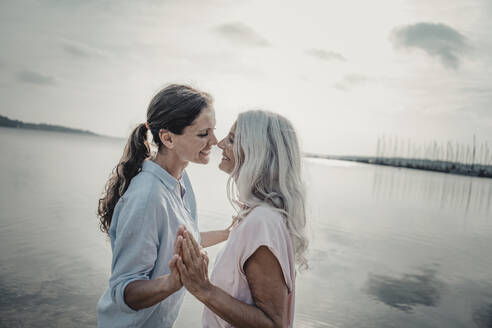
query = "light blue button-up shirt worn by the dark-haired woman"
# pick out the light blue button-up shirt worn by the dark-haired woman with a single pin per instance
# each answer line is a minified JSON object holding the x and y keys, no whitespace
{"x":143,"y":230}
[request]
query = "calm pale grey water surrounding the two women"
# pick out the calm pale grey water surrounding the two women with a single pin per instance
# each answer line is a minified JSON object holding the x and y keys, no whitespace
{"x":390,"y":247}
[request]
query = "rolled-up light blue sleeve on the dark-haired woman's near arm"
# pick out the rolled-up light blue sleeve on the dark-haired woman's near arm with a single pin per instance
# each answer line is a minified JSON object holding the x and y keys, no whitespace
{"x":135,"y":249}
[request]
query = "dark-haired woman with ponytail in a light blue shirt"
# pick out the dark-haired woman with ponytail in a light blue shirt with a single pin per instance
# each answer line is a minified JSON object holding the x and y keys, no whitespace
{"x":148,"y":196}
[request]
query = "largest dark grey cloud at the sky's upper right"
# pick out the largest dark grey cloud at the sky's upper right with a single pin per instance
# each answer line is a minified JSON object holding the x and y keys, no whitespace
{"x":436,"y":39}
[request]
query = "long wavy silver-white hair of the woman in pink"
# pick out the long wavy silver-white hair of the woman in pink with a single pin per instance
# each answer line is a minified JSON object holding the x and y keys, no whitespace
{"x":268,"y":170}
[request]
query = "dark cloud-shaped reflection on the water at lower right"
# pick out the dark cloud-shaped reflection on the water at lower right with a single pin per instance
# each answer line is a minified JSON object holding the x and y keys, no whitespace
{"x":408,"y":291}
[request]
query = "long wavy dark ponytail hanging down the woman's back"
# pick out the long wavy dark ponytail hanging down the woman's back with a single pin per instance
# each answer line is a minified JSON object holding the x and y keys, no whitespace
{"x":136,"y":151}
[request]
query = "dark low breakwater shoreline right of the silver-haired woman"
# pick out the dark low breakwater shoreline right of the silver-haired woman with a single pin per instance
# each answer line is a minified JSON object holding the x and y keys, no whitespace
{"x":475,"y":170}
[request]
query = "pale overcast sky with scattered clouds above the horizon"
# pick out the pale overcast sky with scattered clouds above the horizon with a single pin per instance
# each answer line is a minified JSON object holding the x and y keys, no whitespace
{"x":344,"y":72}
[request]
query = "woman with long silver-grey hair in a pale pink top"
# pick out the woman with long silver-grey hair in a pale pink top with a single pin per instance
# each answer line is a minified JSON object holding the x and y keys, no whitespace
{"x":253,"y":280}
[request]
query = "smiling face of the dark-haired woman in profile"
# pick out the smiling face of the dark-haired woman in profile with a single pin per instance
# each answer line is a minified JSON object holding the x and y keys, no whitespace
{"x":196,"y":142}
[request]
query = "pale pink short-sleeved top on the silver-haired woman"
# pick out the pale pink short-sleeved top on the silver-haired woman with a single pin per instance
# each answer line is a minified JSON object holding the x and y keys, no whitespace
{"x":262,"y":227}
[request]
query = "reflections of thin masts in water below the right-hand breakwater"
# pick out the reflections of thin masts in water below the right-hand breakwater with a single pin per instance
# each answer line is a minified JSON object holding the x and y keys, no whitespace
{"x":469,"y":194}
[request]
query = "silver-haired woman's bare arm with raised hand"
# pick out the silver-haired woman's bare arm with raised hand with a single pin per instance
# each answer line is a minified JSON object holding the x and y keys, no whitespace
{"x":265,"y":280}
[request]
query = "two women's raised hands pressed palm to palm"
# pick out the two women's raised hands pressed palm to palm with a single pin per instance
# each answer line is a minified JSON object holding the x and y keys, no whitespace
{"x":190,"y":264}
